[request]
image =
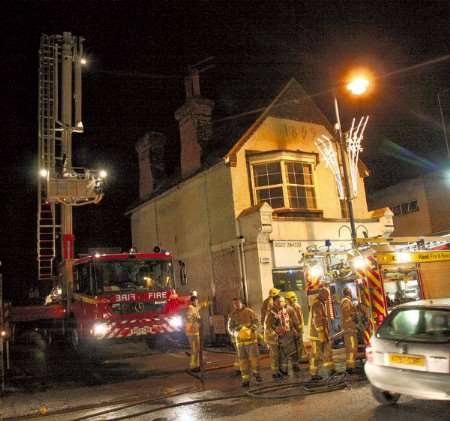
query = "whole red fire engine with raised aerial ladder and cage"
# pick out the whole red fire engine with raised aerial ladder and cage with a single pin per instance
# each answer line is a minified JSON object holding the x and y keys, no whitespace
{"x":99,"y":298}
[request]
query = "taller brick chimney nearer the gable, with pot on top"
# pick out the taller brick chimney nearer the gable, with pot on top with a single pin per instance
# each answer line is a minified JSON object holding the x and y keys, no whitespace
{"x":194,"y":120}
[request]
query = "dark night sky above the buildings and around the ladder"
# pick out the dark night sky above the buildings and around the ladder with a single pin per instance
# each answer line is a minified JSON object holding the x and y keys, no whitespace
{"x":138,"y":54}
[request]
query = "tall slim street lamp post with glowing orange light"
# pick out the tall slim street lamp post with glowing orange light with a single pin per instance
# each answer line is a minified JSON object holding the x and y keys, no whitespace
{"x":357,"y":86}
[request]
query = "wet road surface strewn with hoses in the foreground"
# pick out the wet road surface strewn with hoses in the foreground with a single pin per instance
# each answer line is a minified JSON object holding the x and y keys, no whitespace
{"x":138,"y":383}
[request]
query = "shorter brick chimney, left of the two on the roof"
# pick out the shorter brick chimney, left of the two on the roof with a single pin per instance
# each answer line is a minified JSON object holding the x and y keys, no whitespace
{"x":150,"y":149}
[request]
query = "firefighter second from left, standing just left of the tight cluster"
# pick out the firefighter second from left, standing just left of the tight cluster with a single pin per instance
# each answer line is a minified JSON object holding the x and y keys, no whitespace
{"x":242,"y":325}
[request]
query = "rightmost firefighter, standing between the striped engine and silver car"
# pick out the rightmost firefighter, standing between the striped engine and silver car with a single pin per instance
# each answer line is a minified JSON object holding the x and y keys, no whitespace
{"x":348,"y":321}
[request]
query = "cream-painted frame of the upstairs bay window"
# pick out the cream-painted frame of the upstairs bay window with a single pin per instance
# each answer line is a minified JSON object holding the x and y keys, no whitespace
{"x":281,"y":158}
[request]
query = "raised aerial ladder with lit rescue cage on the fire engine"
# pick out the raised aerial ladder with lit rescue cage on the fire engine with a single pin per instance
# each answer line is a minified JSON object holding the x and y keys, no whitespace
{"x":61,"y":185}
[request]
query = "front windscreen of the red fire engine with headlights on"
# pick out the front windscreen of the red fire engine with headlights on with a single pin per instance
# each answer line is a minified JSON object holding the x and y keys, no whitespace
{"x":145,"y":275}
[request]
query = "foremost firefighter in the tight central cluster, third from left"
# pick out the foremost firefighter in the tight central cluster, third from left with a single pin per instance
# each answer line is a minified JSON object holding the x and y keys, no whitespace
{"x":281,"y":329}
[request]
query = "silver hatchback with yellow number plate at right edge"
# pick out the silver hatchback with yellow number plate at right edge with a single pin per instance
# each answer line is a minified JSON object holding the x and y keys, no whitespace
{"x":409,"y":354}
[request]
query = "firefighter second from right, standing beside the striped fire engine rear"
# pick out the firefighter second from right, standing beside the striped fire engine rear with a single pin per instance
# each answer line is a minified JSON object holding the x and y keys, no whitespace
{"x":319,"y":335}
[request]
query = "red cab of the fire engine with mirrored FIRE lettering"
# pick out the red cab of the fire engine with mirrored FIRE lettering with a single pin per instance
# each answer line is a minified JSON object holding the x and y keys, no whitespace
{"x":121,"y":297}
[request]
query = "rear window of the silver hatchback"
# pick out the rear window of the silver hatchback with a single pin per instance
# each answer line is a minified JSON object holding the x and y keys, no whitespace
{"x":417,"y":325}
